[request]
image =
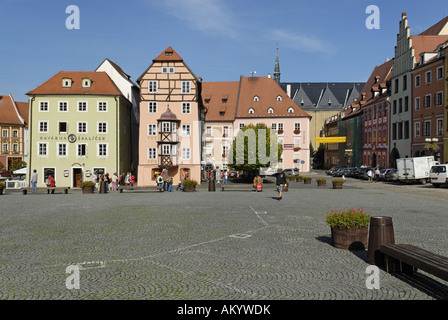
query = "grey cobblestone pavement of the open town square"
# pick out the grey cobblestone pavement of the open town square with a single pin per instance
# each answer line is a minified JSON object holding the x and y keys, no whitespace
{"x":233,"y":245}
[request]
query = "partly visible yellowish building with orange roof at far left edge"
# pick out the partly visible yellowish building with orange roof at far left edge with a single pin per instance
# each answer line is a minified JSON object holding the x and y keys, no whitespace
{"x":13,"y":131}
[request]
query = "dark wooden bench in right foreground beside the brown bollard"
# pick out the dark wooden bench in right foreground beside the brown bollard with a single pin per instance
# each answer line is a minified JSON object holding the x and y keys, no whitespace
{"x":407,"y":258}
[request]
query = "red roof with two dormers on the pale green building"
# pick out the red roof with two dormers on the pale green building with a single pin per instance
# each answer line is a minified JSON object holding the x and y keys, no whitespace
{"x":102,"y":84}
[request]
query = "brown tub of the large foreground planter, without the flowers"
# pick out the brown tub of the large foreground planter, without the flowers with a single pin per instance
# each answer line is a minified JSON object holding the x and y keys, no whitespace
{"x":350,"y":238}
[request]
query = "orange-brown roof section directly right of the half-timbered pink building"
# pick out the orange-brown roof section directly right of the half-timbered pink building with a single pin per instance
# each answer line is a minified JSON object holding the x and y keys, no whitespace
{"x":220,"y":99}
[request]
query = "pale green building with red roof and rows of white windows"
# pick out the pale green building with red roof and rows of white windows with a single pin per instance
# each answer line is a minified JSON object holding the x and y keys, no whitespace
{"x":79,"y":125}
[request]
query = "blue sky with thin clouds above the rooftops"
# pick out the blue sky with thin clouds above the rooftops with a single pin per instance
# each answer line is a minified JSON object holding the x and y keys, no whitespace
{"x":220,"y":40}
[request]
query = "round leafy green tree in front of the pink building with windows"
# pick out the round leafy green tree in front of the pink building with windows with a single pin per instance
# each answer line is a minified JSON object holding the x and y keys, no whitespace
{"x":252,"y":148}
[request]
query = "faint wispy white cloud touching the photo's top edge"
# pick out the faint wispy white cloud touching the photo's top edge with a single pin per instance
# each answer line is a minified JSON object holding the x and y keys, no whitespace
{"x":209,"y":16}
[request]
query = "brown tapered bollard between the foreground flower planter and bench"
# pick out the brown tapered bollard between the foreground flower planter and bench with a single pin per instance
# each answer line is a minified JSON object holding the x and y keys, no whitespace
{"x":381,"y":232}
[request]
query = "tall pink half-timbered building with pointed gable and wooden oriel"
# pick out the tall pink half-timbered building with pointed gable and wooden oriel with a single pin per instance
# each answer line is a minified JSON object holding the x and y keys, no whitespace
{"x":171,"y":120}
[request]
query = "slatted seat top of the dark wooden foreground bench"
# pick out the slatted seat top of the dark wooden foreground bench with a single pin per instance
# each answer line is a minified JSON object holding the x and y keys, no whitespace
{"x":418,"y":258}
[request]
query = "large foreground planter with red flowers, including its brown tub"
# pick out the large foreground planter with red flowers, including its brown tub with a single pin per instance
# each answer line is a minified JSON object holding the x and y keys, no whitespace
{"x":349,"y":228}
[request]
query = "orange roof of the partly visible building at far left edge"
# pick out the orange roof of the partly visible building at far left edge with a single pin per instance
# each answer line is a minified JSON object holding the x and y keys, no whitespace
{"x":12,"y":112}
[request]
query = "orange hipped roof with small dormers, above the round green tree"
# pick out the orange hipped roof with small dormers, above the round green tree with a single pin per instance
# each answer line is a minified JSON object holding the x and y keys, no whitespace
{"x":268,"y":91}
